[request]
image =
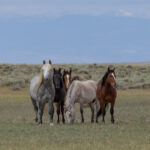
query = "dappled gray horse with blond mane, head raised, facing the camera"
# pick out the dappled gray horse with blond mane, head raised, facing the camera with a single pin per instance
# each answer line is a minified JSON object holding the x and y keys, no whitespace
{"x":42,"y":91}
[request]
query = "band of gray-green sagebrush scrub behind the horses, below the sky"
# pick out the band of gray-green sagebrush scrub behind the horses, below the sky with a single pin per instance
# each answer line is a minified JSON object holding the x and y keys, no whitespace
{"x":129,"y":76}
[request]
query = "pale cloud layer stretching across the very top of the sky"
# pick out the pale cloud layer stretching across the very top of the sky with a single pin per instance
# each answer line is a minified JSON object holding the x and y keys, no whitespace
{"x":58,"y":8}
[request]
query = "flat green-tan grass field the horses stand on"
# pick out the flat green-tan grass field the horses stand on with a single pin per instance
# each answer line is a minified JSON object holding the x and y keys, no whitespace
{"x":131,"y":130}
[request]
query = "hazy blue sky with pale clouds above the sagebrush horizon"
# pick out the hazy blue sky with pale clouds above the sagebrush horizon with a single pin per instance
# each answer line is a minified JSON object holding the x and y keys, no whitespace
{"x":74,"y":31}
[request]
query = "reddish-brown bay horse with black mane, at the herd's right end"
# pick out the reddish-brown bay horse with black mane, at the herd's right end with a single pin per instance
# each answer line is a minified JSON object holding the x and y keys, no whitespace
{"x":106,"y":93}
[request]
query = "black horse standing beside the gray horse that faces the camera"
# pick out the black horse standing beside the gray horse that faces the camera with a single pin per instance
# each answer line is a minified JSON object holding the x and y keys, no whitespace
{"x":60,"y":93}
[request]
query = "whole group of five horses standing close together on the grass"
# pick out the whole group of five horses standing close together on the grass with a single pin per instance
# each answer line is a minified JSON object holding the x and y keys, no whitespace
{"x":53,"y":86}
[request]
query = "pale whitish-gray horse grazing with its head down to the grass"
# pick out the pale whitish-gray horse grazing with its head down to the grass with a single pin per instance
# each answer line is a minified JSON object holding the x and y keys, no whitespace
{"x":83,"y":92}
